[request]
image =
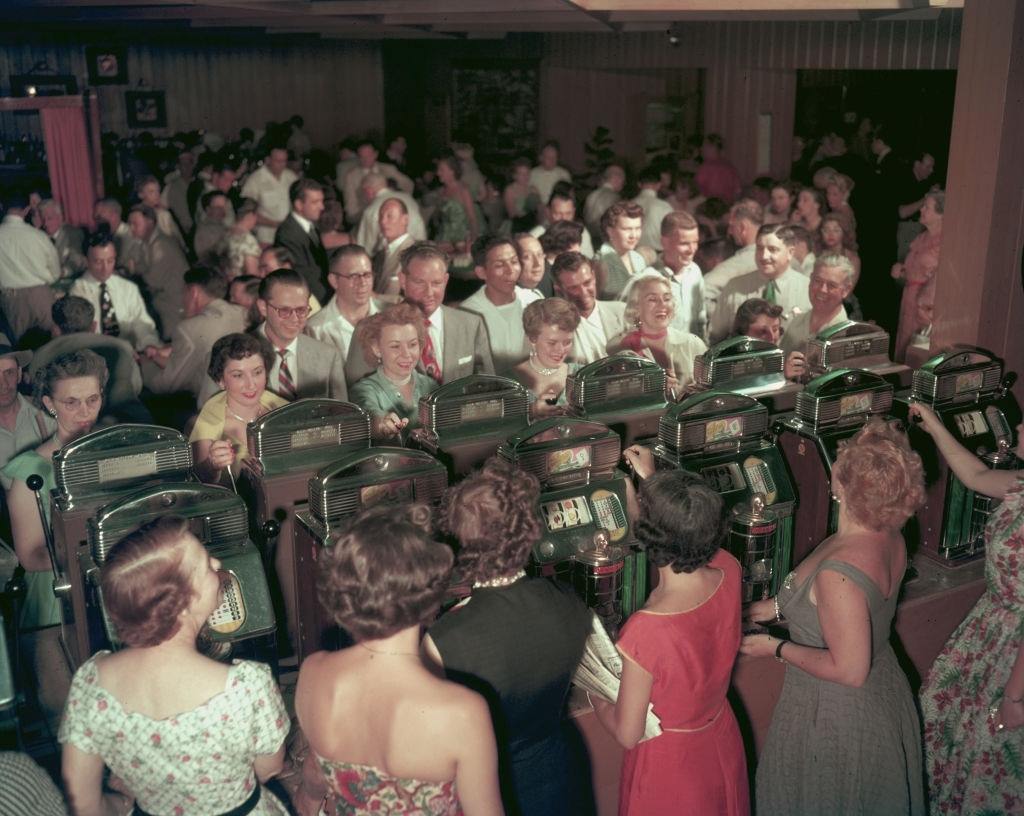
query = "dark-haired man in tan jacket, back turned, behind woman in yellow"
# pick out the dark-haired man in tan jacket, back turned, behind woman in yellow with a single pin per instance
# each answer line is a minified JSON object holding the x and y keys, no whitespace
{"x":183,"y":365}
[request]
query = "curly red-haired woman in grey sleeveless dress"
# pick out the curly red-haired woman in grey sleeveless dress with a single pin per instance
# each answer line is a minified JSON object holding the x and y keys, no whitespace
{"x":845,"y":736}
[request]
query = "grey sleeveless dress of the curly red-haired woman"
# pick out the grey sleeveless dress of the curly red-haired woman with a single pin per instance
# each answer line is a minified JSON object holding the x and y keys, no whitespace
{"x":839,"y":750}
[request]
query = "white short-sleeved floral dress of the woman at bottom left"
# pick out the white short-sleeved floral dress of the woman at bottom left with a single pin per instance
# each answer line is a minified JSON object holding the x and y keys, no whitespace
{"x":200,"y":762}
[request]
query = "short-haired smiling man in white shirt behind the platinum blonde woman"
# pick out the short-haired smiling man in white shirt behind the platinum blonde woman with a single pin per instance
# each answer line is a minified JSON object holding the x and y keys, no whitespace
{"x":680,"y":239}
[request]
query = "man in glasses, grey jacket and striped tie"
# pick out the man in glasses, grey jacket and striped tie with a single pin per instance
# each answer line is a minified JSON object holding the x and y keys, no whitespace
{"x":304,"y":367}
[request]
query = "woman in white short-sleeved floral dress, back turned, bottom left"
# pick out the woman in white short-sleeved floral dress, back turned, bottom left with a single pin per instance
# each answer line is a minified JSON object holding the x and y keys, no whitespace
{"x":185,"y":734}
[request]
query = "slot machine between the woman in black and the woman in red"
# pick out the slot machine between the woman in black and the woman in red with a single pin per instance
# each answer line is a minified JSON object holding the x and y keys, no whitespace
{"x":583,"y":510}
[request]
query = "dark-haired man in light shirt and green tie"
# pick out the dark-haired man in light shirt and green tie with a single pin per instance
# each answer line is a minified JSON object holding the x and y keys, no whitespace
{"x":774,"y":280}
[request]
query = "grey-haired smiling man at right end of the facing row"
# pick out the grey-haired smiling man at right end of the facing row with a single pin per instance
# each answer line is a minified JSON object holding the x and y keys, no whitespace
{"x":832,"y":282}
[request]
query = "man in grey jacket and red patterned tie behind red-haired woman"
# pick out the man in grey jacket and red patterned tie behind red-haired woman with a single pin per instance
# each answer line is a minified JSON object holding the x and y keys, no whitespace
{"x":457,"y":340}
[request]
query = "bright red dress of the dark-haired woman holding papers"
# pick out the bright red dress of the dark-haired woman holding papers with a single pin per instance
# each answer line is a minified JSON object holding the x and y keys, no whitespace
{"x":697,"y":766}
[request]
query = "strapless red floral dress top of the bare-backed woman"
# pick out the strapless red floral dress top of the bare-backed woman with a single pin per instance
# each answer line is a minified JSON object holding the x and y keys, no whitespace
{"x":362,"y":789}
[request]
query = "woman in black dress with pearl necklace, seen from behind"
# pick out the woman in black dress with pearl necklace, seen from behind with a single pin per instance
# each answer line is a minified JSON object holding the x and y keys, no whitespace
{"x":517,"y":640}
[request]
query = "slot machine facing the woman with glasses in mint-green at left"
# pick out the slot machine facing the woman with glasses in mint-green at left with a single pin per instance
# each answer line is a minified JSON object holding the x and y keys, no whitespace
{"x":90,"y":473}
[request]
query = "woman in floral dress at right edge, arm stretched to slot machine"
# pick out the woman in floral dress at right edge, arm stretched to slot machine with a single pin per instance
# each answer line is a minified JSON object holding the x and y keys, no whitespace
{"x":973,"y":699}
